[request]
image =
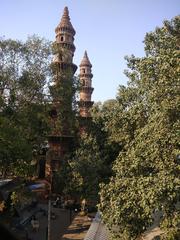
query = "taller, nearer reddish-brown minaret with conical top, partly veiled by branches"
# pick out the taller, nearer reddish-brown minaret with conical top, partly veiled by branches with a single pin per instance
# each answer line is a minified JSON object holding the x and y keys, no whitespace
{"x":61,"y":91}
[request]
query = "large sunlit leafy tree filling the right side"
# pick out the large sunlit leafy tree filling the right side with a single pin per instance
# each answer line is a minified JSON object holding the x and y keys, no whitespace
{"x":146,"y":124}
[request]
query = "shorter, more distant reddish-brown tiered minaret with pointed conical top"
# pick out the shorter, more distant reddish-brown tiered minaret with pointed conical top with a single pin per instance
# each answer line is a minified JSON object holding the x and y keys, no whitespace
{"x":86,"y":90}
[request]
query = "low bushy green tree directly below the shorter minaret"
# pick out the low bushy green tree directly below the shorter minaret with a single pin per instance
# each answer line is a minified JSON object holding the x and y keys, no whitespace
{"x":86,"y":167}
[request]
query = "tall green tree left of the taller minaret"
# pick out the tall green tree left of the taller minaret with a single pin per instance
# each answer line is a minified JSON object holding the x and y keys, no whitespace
{"x":24,"y":77}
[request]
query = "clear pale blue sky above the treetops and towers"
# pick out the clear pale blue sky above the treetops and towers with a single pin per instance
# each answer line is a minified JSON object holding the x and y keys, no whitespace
{"x":107,"y":29}
